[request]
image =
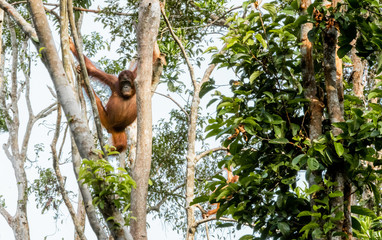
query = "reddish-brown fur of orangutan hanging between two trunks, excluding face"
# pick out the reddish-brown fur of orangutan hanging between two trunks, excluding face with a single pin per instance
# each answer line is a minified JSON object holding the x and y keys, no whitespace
{"x":119,"y":111}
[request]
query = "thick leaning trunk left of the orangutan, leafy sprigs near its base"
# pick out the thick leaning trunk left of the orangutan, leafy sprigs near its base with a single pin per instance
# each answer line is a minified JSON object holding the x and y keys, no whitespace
{"x":66,"y":97}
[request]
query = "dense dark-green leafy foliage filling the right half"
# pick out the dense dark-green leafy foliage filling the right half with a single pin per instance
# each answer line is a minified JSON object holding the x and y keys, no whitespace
{"x":264,"y":121}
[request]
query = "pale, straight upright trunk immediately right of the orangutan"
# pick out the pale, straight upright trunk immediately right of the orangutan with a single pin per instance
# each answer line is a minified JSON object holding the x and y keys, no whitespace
{"x":148,"y":24}
